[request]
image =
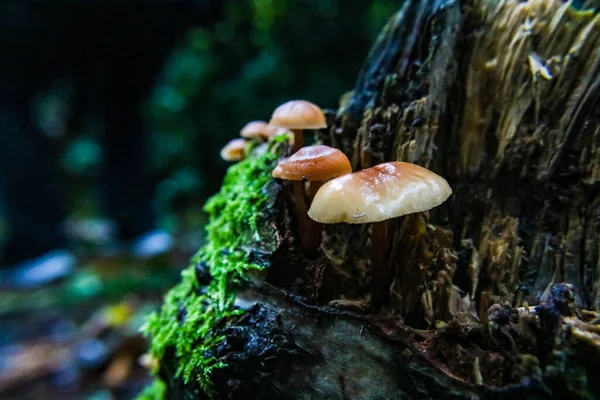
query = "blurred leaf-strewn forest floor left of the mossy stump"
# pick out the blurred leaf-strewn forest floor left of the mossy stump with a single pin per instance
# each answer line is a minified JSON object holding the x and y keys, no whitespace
{"x":79,"y":338}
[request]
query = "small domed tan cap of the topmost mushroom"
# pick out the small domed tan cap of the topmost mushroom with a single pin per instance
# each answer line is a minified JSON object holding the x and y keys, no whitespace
{"x":298,"y":114}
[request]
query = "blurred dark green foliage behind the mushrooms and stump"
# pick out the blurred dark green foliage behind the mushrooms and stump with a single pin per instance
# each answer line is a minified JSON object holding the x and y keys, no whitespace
{"x":259,"y":54}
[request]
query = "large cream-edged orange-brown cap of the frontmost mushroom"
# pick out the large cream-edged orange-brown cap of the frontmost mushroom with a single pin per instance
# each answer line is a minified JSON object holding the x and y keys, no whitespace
{"x":375,"y":194}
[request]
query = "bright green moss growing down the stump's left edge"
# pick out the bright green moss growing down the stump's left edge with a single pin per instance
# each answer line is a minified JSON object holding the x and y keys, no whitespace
{"x":237,"y":219}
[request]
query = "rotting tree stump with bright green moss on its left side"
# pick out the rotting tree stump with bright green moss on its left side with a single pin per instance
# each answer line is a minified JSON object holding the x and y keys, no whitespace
{"x":494,"y":294}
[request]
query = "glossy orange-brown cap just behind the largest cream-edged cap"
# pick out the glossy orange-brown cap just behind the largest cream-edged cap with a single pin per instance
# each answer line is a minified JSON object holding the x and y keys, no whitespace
{"x":313,"y":163}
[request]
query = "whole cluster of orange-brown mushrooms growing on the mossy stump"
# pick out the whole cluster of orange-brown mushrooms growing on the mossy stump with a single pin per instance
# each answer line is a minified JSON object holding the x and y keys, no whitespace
{"x":338,"y":195}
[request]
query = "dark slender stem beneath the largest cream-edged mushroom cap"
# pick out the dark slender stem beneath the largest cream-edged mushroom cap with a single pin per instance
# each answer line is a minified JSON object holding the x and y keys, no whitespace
{"x":380,"y":275}
